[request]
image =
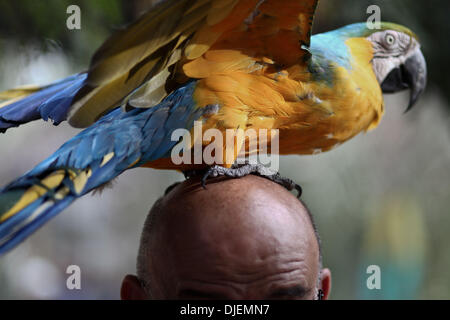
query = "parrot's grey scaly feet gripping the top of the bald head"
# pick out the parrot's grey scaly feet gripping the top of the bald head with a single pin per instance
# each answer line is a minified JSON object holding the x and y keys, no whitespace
{"x":242,"y":170}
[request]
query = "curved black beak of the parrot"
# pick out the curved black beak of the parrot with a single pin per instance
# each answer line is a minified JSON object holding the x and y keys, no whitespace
{"x":411,"y":75}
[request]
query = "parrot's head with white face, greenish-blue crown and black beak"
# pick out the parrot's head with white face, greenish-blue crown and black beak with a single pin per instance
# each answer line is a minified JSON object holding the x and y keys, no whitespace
{"x":397,"y":60}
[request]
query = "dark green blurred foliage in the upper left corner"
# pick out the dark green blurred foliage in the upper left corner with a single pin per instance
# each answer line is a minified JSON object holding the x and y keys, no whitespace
{"x":31,"y":20}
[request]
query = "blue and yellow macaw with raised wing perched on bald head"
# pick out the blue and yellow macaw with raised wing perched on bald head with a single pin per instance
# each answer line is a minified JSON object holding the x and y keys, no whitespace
{"x":228,"y":64}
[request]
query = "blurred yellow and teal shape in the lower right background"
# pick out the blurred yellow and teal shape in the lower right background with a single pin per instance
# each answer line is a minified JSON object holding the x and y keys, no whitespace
{"x":395,"y":237}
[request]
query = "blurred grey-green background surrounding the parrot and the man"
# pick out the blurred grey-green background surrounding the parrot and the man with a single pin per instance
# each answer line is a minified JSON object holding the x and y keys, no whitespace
{"x":381,"y":199}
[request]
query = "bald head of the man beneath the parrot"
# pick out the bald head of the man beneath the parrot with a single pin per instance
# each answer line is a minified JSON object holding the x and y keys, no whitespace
{"x":245,"y":238}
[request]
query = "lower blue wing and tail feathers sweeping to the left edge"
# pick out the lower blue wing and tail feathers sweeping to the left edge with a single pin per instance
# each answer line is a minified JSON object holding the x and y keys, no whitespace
{"x":135,"y":137}
